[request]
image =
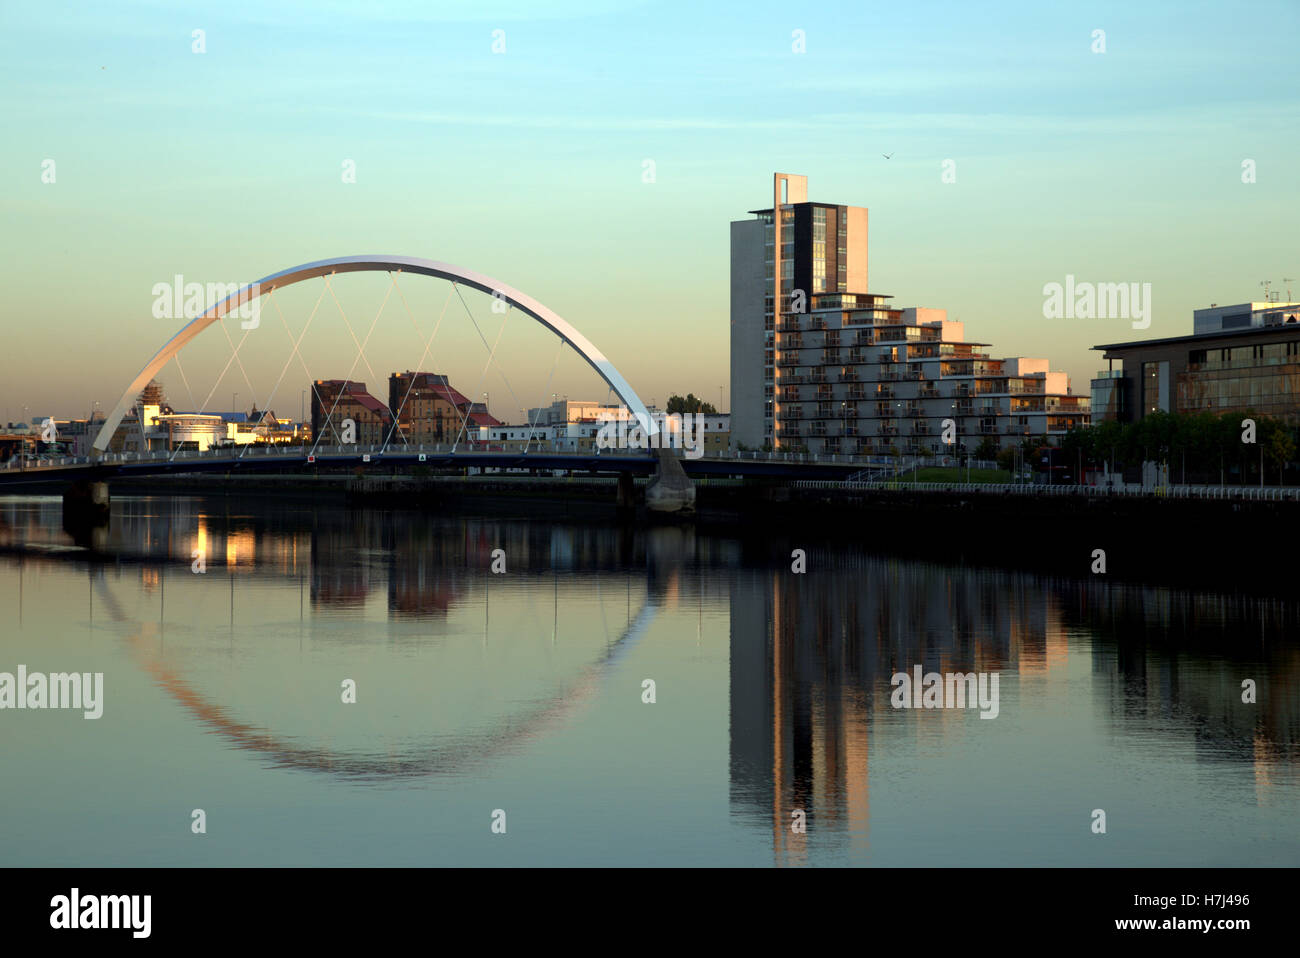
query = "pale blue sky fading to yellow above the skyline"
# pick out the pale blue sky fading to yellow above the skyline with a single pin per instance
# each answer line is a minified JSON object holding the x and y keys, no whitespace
{"x":528,"y":163}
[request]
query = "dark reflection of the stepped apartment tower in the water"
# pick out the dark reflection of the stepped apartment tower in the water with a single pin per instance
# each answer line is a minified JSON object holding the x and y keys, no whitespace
{"x":812,"y":661}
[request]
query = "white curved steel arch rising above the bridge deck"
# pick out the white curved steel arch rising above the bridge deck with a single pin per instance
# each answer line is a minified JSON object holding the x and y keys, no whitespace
{"x":375,"y":265}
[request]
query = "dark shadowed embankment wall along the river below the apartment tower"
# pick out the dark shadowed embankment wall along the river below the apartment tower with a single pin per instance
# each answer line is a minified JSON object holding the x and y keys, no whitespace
{"x":1212,"y":544}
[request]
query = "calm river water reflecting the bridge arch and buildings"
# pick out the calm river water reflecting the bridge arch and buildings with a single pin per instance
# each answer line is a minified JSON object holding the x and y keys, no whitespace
{"x":523,"y":692}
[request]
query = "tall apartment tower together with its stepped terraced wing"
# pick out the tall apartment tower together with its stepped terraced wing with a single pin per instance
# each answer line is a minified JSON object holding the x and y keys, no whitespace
{"x":821,"y":365}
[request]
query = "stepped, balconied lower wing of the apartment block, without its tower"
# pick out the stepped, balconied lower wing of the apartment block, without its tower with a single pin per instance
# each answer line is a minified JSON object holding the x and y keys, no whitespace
{"x":861,"y":378}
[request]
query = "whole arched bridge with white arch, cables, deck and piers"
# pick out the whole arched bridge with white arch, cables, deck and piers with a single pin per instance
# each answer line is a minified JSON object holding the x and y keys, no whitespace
{"x":670,"y":491}
